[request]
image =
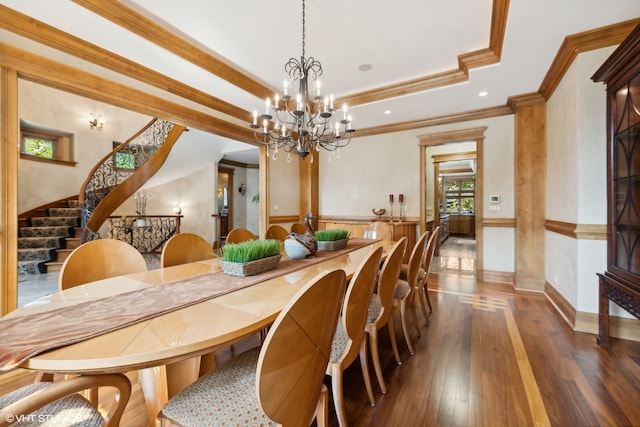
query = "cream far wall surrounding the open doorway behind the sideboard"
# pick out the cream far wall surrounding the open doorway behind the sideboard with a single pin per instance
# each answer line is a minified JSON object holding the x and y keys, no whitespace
{"x":371,"y":168}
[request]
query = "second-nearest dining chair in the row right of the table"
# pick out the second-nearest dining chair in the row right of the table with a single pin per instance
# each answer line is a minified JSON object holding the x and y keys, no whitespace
{"x":348,"y":341}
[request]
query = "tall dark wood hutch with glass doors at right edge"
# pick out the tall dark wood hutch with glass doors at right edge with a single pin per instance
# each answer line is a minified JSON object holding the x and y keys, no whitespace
{"x":621,"y":282}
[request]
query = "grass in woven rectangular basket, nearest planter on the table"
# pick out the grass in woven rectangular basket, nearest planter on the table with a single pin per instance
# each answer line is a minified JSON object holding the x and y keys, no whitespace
{"x":251,"y":257}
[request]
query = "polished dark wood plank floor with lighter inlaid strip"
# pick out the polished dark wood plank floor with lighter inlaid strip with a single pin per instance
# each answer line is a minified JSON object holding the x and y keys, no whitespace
{"x":488,"y":357}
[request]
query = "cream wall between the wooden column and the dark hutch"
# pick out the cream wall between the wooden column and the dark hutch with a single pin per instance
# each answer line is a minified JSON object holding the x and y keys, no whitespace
{"x":576,"y":181}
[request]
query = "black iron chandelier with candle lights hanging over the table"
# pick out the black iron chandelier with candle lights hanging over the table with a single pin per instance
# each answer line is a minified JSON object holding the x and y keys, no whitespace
{"x":302,"y":123}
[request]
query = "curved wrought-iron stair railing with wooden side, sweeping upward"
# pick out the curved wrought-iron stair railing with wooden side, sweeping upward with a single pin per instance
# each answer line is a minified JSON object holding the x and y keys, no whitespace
{"x":127,"y":161}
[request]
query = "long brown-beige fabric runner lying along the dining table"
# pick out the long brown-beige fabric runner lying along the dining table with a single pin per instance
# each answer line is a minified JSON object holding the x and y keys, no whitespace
{"x":22,"y":337}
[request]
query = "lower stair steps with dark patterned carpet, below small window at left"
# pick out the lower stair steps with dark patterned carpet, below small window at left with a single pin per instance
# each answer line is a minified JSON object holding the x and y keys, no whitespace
{"x":47,"y":236}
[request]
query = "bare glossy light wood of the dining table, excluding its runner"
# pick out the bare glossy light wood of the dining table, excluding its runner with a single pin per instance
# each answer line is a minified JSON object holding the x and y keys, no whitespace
{"x":166,"y":349}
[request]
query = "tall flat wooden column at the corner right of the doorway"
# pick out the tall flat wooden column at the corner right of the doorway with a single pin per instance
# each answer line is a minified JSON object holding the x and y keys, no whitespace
{"x":530,"y":194}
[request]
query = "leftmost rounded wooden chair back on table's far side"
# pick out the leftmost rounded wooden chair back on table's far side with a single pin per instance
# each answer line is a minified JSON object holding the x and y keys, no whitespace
{"x":100,"y":259}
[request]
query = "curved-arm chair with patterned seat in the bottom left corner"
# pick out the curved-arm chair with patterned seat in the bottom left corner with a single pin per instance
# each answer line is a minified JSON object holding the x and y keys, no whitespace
{"x":60,"y":403}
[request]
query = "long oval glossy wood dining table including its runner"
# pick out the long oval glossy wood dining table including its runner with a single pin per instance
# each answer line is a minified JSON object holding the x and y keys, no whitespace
{"x":166,"y":346}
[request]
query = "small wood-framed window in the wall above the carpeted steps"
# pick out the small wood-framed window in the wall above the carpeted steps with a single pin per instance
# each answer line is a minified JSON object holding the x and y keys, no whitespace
{"x":41,"y":144}
